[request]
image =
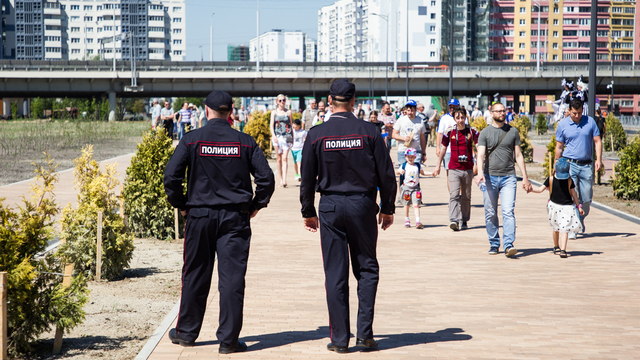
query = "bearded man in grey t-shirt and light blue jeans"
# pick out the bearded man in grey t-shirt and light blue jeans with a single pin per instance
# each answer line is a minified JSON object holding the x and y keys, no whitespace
{"x":500,"y":143}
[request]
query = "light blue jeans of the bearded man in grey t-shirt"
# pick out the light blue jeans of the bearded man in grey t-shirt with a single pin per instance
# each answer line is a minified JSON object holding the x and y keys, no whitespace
{"x":504,"y":187}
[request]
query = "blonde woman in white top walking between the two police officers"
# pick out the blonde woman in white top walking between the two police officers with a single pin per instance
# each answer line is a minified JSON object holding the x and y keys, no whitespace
{"x":281,"y":136}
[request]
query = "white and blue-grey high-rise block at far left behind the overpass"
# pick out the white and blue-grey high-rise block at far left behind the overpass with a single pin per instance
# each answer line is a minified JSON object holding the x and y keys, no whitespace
{"x":86,"y":29}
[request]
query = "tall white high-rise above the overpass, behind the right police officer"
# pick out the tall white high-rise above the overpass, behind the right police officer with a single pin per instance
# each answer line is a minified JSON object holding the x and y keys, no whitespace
{"x":376,"y":30}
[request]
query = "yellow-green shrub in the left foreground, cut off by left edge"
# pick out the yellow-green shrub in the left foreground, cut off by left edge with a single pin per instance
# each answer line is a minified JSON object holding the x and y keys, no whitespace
{"x":36,"y":298}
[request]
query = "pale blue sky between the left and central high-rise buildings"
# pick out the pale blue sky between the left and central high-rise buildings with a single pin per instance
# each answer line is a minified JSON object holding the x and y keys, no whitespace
{"x":234,"y":22}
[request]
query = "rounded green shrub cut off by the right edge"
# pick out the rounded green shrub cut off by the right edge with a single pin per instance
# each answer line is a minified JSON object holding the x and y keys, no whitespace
{"x":627,"y":182}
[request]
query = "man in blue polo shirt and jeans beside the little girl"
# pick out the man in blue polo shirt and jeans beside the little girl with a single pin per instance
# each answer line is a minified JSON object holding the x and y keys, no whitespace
{"x":576,"y":137}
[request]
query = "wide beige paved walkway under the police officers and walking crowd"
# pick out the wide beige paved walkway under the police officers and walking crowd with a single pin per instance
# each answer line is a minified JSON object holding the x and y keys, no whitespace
{"x":440,"y":294}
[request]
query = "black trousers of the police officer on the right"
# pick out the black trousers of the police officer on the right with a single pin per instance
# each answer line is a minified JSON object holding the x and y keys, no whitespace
{"x":348,"y":228}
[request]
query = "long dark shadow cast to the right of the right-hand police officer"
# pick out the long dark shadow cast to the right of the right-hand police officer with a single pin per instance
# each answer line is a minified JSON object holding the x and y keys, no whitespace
{"x":394,"y":341}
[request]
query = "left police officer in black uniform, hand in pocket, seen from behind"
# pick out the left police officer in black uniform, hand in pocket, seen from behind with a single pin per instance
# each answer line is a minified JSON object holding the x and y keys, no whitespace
{"x":218,"y":205}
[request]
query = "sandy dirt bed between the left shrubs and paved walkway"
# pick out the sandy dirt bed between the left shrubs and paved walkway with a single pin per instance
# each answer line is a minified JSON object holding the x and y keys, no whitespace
{"x":122,"y":315}
